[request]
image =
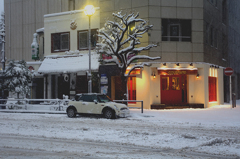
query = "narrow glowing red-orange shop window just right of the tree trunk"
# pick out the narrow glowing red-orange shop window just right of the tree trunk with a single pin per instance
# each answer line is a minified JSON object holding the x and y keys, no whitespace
{"x":131,"y":88}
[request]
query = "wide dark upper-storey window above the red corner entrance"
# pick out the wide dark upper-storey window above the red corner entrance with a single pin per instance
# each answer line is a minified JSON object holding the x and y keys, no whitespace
{"x":176,"y":30}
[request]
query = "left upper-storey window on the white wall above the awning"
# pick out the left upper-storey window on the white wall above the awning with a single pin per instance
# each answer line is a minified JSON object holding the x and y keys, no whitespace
{"x":60,"y":42}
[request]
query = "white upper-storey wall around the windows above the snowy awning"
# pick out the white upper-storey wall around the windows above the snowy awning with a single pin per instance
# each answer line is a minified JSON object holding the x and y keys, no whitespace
{"x":61,"y":23}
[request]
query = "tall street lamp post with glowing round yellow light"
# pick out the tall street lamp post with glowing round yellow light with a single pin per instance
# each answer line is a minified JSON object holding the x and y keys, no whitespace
{"x":89,"y":11}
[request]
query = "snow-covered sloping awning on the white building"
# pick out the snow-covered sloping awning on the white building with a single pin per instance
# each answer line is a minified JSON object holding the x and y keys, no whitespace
{"x":68,"y":64}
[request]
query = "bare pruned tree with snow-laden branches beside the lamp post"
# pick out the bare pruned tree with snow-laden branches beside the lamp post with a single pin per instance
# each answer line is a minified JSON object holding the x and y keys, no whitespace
{"x":120,"y":40}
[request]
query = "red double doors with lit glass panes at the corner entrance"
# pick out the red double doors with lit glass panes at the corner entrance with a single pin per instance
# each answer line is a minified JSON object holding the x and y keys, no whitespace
{"x":173,"y":89}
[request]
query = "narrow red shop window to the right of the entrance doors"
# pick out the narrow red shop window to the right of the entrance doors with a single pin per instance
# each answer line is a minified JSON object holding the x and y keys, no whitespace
{"x":212,"y":84}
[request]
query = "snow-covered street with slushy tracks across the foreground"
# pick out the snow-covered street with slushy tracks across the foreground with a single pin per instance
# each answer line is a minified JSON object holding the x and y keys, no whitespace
{"x":186,"y":133}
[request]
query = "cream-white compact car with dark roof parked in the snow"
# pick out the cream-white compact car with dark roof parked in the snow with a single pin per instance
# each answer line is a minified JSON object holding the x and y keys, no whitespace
{"x":93,"y":103}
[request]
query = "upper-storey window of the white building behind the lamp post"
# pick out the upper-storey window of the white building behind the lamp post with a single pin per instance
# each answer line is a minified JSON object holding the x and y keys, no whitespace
{"x":83,"y":39}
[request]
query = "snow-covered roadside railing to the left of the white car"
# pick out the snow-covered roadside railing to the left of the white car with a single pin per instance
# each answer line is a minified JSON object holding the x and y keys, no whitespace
{"x":54,"y":104}
